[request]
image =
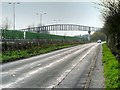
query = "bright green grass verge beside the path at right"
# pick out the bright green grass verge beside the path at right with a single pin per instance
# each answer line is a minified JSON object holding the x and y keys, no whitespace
{"x":111,"y":69}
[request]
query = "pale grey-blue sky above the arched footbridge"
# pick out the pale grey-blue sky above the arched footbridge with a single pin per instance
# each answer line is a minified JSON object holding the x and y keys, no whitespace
{"x":81,"y":12}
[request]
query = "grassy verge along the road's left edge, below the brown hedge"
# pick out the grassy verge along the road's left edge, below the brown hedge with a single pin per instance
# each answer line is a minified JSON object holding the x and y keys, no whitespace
{"x":19,"y":54}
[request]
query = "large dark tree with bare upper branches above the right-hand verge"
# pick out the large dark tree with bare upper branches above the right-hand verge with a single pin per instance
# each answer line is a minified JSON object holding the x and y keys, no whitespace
{"x":111,"y":16}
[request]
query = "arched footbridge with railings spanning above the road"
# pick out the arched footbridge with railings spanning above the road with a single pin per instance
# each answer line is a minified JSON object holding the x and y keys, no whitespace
{"x":61,"y":27}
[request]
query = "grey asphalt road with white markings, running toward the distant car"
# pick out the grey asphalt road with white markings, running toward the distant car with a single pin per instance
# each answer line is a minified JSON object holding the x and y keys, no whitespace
{"x":65,"y":68}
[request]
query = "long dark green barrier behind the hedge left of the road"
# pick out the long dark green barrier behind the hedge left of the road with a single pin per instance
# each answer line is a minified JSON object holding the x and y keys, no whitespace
{"x":16,"y":34}
